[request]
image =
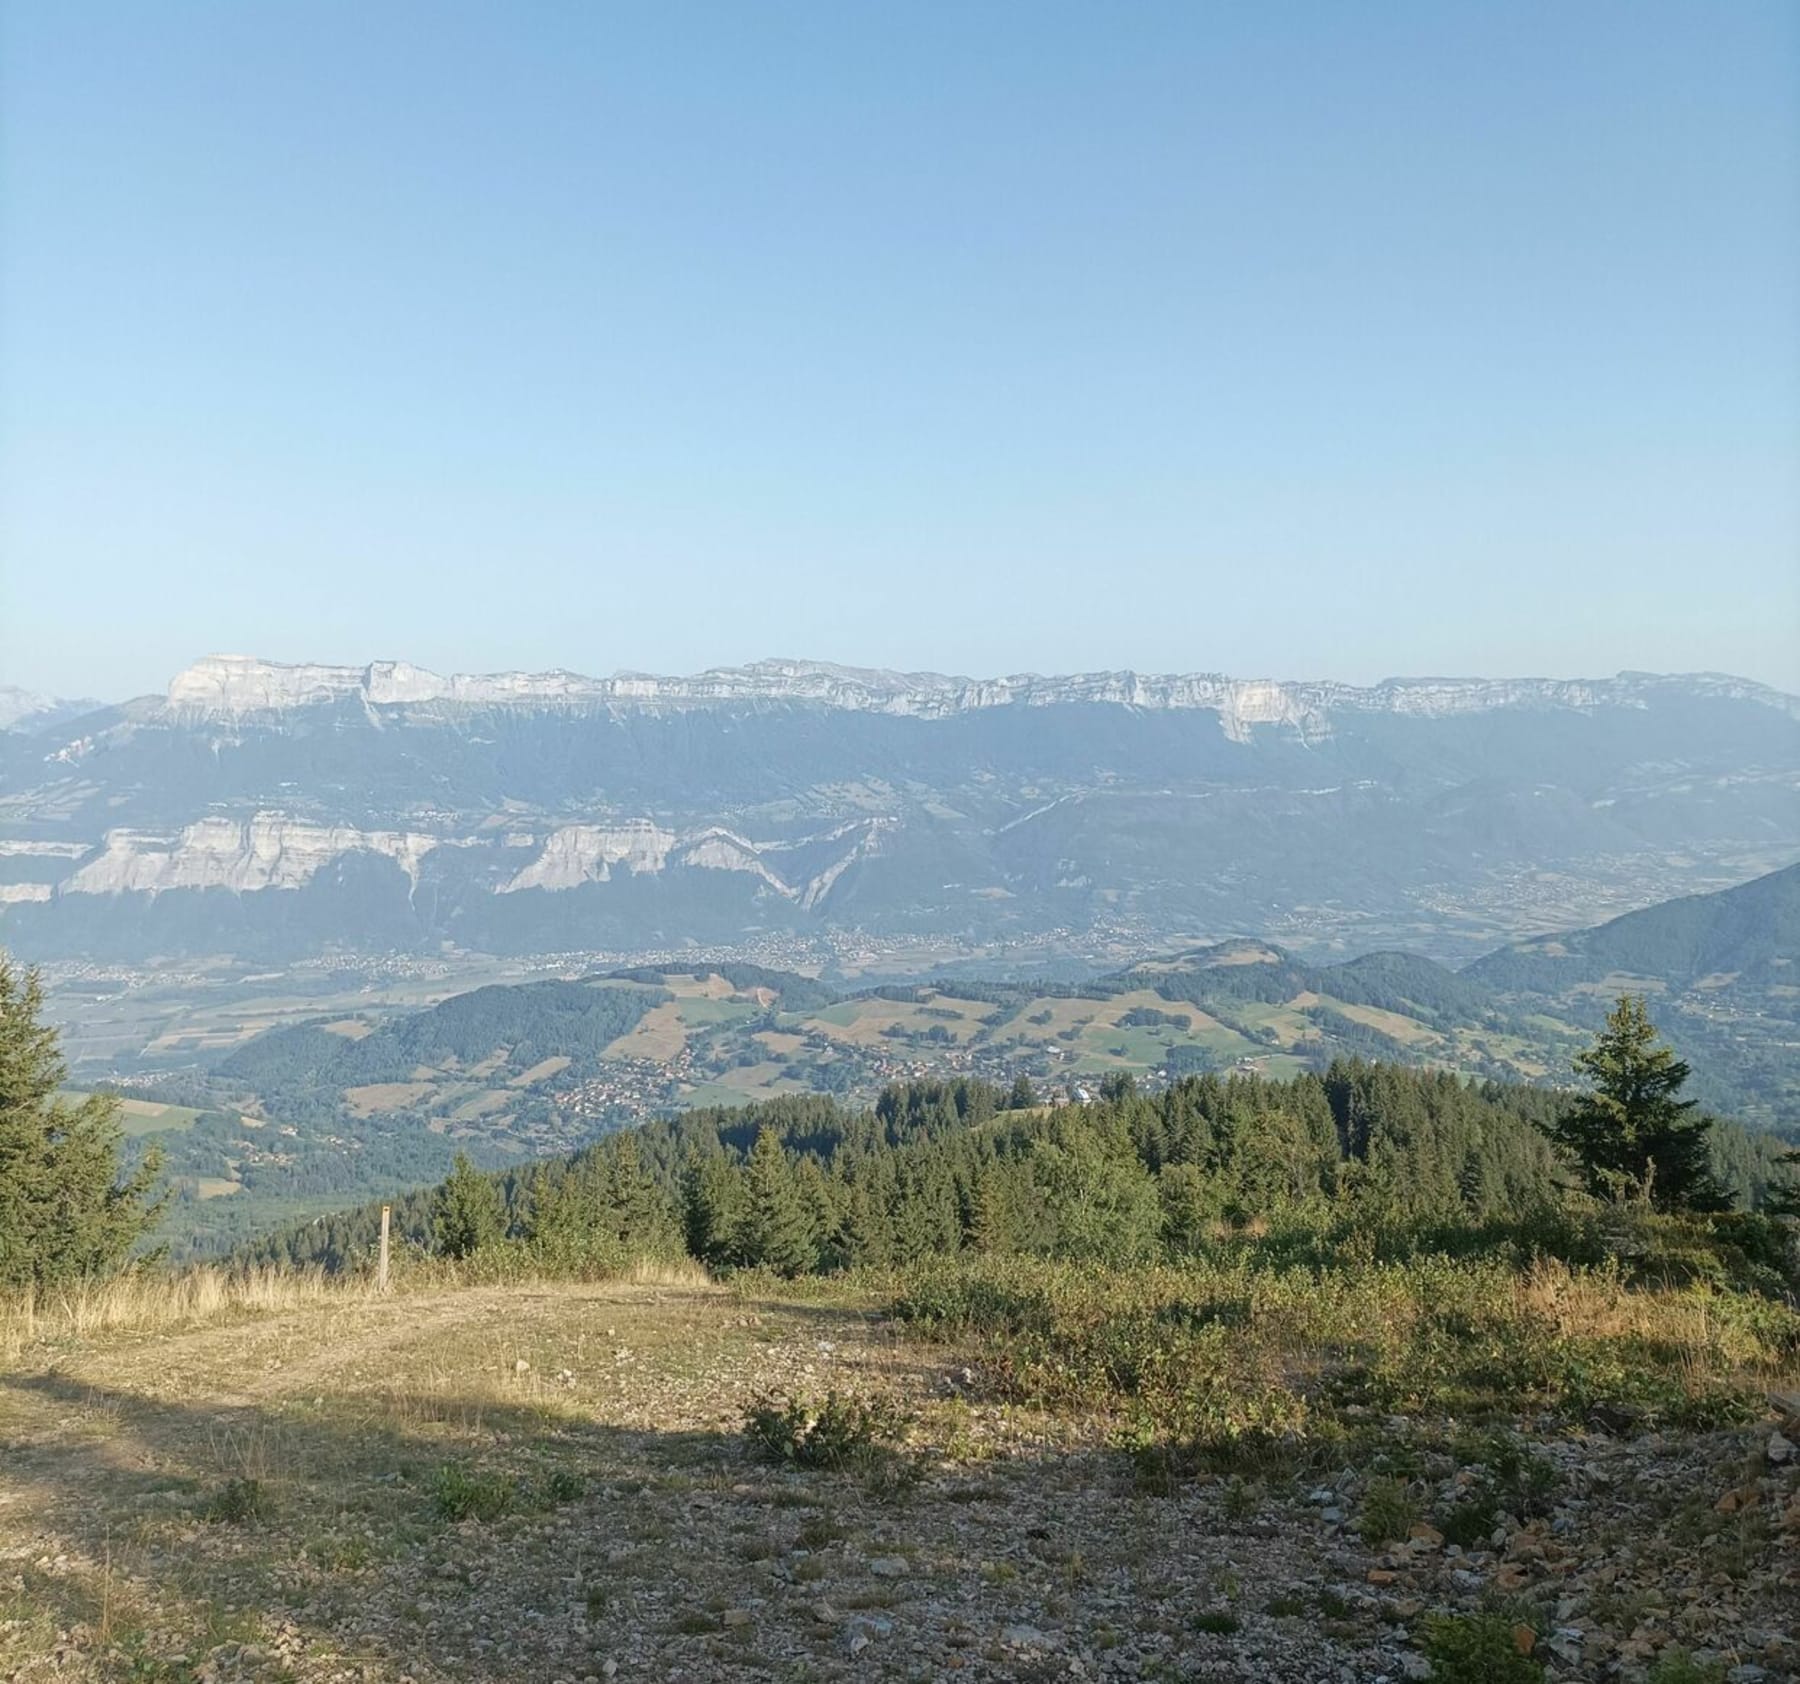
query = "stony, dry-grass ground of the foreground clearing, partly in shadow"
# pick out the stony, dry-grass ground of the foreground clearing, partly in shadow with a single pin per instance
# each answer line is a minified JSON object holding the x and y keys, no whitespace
{"x":271,"y":1498}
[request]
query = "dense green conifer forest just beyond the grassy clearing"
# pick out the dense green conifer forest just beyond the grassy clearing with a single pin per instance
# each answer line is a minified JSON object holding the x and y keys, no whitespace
{"x":935,"y":1169}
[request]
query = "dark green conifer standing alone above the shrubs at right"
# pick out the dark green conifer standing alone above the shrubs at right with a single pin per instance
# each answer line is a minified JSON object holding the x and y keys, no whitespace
{"x":1630,"y":1138}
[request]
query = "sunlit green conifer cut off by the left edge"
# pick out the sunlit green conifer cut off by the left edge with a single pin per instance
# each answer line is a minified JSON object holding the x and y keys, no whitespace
{"x":64,"y":1210}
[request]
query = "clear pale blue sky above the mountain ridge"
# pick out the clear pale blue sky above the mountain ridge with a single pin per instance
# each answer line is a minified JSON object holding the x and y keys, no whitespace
{"x":1302,"y":341}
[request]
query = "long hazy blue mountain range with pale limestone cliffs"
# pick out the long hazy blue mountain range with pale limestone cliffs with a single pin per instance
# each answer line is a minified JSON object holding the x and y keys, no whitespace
{"x":283,"y":812}
